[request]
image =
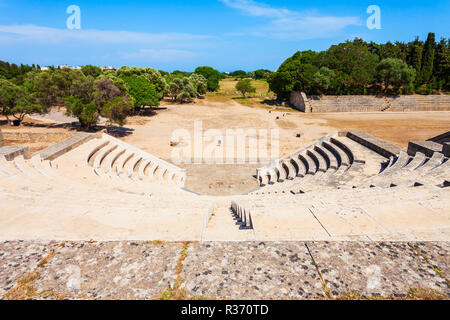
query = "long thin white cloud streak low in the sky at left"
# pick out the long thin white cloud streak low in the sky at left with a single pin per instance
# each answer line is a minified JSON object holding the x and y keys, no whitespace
{"x":45,"y":35}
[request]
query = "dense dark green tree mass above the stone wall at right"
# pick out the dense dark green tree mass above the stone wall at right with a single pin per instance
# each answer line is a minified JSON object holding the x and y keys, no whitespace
{"x":359,"y":67}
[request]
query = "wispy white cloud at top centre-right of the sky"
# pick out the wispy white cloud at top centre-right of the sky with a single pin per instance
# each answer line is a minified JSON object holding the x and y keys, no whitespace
{"x":293,"y":25}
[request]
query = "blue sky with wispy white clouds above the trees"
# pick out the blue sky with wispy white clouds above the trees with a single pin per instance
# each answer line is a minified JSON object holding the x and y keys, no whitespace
{"x":180,"y":34}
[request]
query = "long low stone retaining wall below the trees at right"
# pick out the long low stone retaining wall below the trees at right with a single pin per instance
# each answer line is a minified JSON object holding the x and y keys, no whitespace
{"x":366,"y":103}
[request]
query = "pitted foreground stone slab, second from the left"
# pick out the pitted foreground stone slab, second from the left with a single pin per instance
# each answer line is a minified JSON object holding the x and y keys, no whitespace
{"x":110,"y":270}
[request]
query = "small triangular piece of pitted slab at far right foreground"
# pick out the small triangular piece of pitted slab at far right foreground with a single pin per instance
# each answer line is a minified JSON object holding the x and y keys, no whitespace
{"x":437,"y":254}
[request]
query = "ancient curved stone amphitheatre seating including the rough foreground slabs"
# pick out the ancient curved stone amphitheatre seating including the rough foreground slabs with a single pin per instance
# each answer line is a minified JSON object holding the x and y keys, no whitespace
{"x":348,"y":214}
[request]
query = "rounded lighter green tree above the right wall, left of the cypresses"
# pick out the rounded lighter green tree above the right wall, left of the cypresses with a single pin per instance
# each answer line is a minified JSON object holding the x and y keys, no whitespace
{"x":396,"y":73}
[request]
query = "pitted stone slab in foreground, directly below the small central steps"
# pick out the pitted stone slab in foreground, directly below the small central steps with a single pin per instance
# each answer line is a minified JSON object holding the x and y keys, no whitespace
{"x":251,"y":270}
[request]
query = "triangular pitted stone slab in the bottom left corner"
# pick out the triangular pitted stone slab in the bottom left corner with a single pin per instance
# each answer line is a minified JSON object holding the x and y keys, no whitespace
{"x":18,"y":258}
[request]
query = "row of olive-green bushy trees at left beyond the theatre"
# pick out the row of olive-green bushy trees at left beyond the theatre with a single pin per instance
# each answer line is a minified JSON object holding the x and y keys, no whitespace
{"x":89,"y":93}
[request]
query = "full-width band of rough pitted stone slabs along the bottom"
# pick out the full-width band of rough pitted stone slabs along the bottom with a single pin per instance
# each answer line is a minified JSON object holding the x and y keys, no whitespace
{"x":221,"y":270}
